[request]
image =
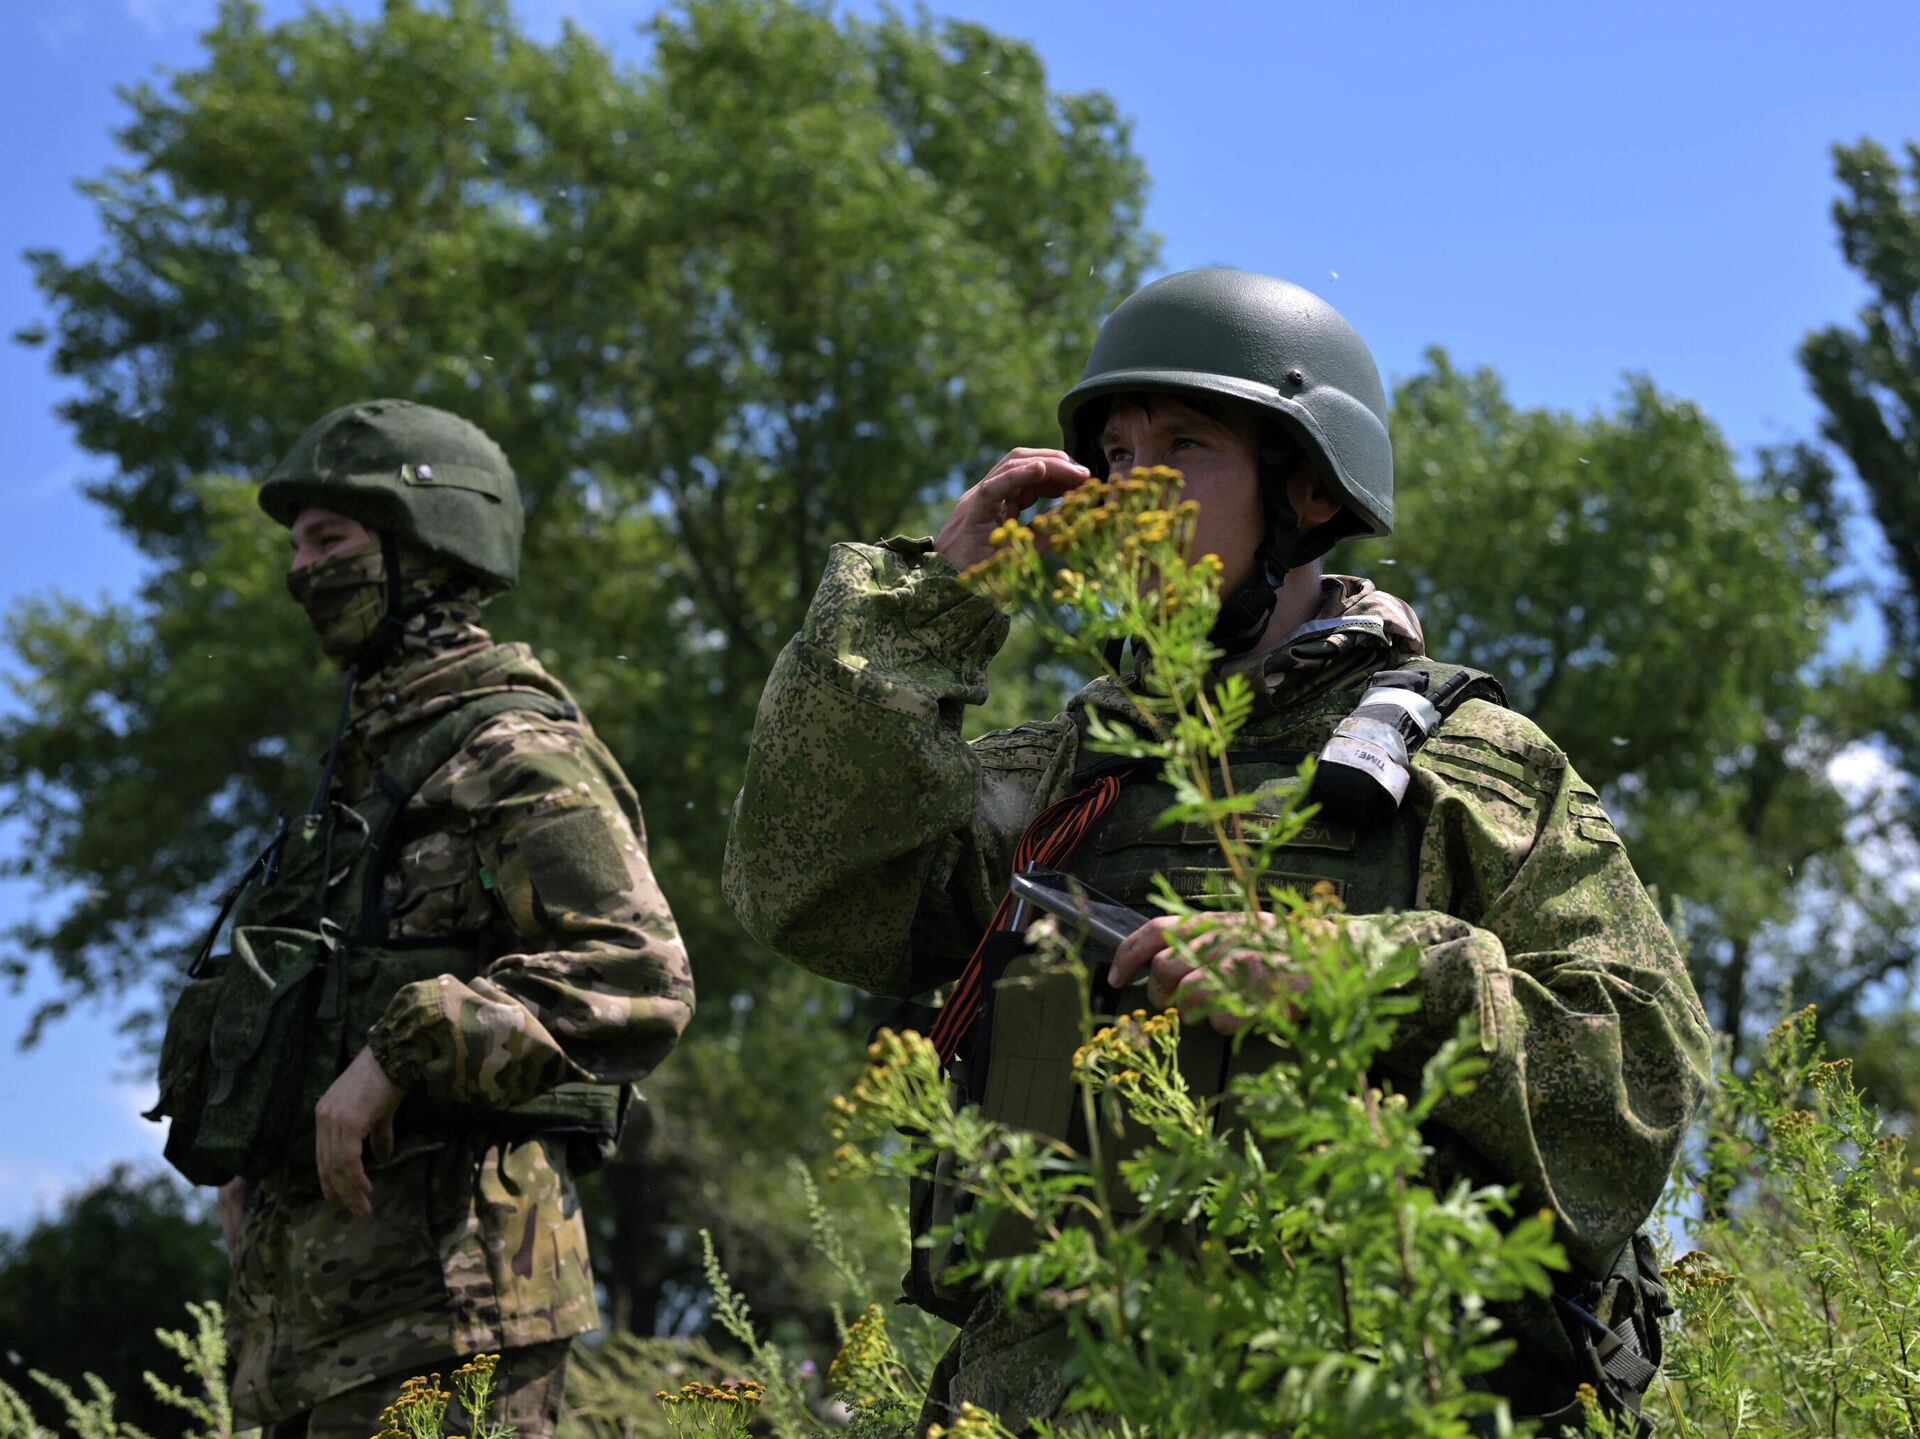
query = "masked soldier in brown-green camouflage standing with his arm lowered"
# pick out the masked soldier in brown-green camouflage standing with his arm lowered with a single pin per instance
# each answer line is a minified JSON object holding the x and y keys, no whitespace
{"x":441,"y":981}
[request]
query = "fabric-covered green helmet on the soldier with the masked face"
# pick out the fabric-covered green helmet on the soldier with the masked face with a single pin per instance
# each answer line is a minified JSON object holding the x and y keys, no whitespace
{"x":416,"y":474}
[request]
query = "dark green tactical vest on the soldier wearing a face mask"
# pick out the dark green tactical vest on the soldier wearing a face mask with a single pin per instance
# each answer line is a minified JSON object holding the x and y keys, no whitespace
{"x":260,"y":1033}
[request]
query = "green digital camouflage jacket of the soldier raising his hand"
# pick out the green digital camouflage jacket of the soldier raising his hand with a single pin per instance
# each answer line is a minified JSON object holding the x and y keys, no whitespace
{"x":871,"y":844}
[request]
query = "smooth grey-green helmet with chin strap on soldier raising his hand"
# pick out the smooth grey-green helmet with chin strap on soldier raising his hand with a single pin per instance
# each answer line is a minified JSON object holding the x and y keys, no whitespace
{"x":1264,"y":343}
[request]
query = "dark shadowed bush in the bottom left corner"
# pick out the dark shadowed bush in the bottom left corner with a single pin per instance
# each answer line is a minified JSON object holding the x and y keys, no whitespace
{"x":89,"y":1286}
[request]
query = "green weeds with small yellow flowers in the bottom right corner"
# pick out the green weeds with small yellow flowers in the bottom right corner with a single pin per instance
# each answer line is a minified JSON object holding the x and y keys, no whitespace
{"x":1800,"y":1300}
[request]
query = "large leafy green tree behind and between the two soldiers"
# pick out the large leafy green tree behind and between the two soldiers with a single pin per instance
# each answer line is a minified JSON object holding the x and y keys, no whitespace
{"x":786,"y":283}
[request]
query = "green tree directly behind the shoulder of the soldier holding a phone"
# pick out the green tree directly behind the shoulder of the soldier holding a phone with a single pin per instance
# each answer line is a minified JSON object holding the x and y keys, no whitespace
{"x":1664,"y":616}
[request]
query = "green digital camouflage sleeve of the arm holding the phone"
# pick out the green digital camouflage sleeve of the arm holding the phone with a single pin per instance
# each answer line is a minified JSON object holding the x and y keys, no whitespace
{"x":1535,"y":929}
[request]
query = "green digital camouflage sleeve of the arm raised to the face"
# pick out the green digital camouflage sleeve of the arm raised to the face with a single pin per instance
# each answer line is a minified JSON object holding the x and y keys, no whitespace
{"x":871,"y":842}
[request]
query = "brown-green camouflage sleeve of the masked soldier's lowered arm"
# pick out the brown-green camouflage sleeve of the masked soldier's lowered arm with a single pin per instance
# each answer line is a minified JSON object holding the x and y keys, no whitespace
{"x":596,"y":985}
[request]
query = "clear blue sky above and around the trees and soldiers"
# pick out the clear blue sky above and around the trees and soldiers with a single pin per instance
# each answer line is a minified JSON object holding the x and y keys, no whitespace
{"x":1564,"y":193}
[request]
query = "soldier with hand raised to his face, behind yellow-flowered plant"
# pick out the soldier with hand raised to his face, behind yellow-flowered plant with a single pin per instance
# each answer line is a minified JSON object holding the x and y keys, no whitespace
{"x":873,"y":844}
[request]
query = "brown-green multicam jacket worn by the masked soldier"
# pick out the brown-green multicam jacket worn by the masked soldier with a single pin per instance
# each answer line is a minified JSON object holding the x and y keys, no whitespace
{"x":475,"y":1244}
